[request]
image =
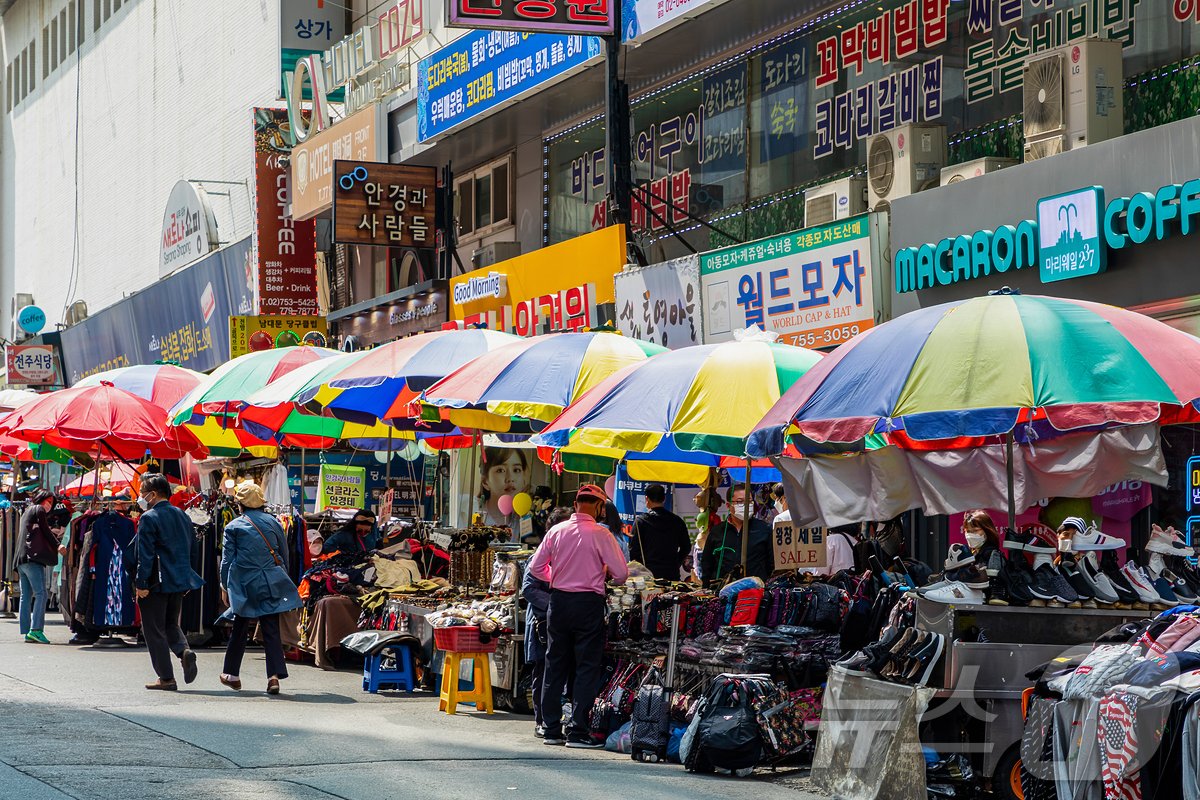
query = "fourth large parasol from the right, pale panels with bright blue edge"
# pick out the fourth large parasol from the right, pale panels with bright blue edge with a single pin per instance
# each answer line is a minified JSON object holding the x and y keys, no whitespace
{"x":394,"y":375}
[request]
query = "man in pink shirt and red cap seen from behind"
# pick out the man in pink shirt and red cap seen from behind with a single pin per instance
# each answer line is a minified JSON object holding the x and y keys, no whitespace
{"x":577,"y":558}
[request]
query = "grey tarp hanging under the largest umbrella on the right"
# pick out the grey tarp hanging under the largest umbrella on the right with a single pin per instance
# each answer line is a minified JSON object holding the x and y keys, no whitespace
{"x":883,"y":484}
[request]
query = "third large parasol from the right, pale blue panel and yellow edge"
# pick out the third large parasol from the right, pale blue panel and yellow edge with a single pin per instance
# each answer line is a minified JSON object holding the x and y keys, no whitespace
{"x":532,"y":380}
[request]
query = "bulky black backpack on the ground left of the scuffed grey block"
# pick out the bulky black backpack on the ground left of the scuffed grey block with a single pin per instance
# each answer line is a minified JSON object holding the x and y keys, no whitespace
{"x":727,"y":729}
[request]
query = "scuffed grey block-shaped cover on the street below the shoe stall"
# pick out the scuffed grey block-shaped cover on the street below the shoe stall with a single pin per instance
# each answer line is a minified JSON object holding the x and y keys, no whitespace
{"x":868,"y":748}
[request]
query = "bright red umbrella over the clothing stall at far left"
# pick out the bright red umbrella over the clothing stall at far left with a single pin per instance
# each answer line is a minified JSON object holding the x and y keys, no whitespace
{"x":103,"y":422}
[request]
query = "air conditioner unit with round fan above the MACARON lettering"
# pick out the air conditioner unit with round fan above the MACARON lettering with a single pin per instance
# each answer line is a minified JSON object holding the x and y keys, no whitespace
{"x":904,"y":161}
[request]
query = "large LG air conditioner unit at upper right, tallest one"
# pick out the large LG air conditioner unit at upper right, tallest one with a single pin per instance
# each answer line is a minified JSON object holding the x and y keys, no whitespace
{"x":1072,"y":98}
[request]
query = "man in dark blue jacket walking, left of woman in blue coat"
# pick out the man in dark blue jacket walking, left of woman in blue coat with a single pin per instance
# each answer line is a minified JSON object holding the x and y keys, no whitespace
{"x":165,"y":575}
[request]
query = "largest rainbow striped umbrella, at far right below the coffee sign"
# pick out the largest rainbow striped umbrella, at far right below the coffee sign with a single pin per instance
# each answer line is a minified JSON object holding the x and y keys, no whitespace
{"x":955,"y":375}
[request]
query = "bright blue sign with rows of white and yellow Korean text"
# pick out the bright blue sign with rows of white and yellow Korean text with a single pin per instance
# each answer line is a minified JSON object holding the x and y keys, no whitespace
{"x":484,"y":70}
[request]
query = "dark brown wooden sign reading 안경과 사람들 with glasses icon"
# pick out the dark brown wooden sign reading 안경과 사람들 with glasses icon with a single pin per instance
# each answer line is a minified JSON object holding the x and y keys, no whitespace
{"x":385,"y":206}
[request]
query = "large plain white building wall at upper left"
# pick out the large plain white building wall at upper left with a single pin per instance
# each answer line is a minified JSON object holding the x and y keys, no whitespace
{"x":165,"y":93}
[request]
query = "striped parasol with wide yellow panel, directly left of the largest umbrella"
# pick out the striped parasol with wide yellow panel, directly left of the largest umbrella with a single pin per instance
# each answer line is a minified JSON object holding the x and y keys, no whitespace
{"x":701,"y":399}
